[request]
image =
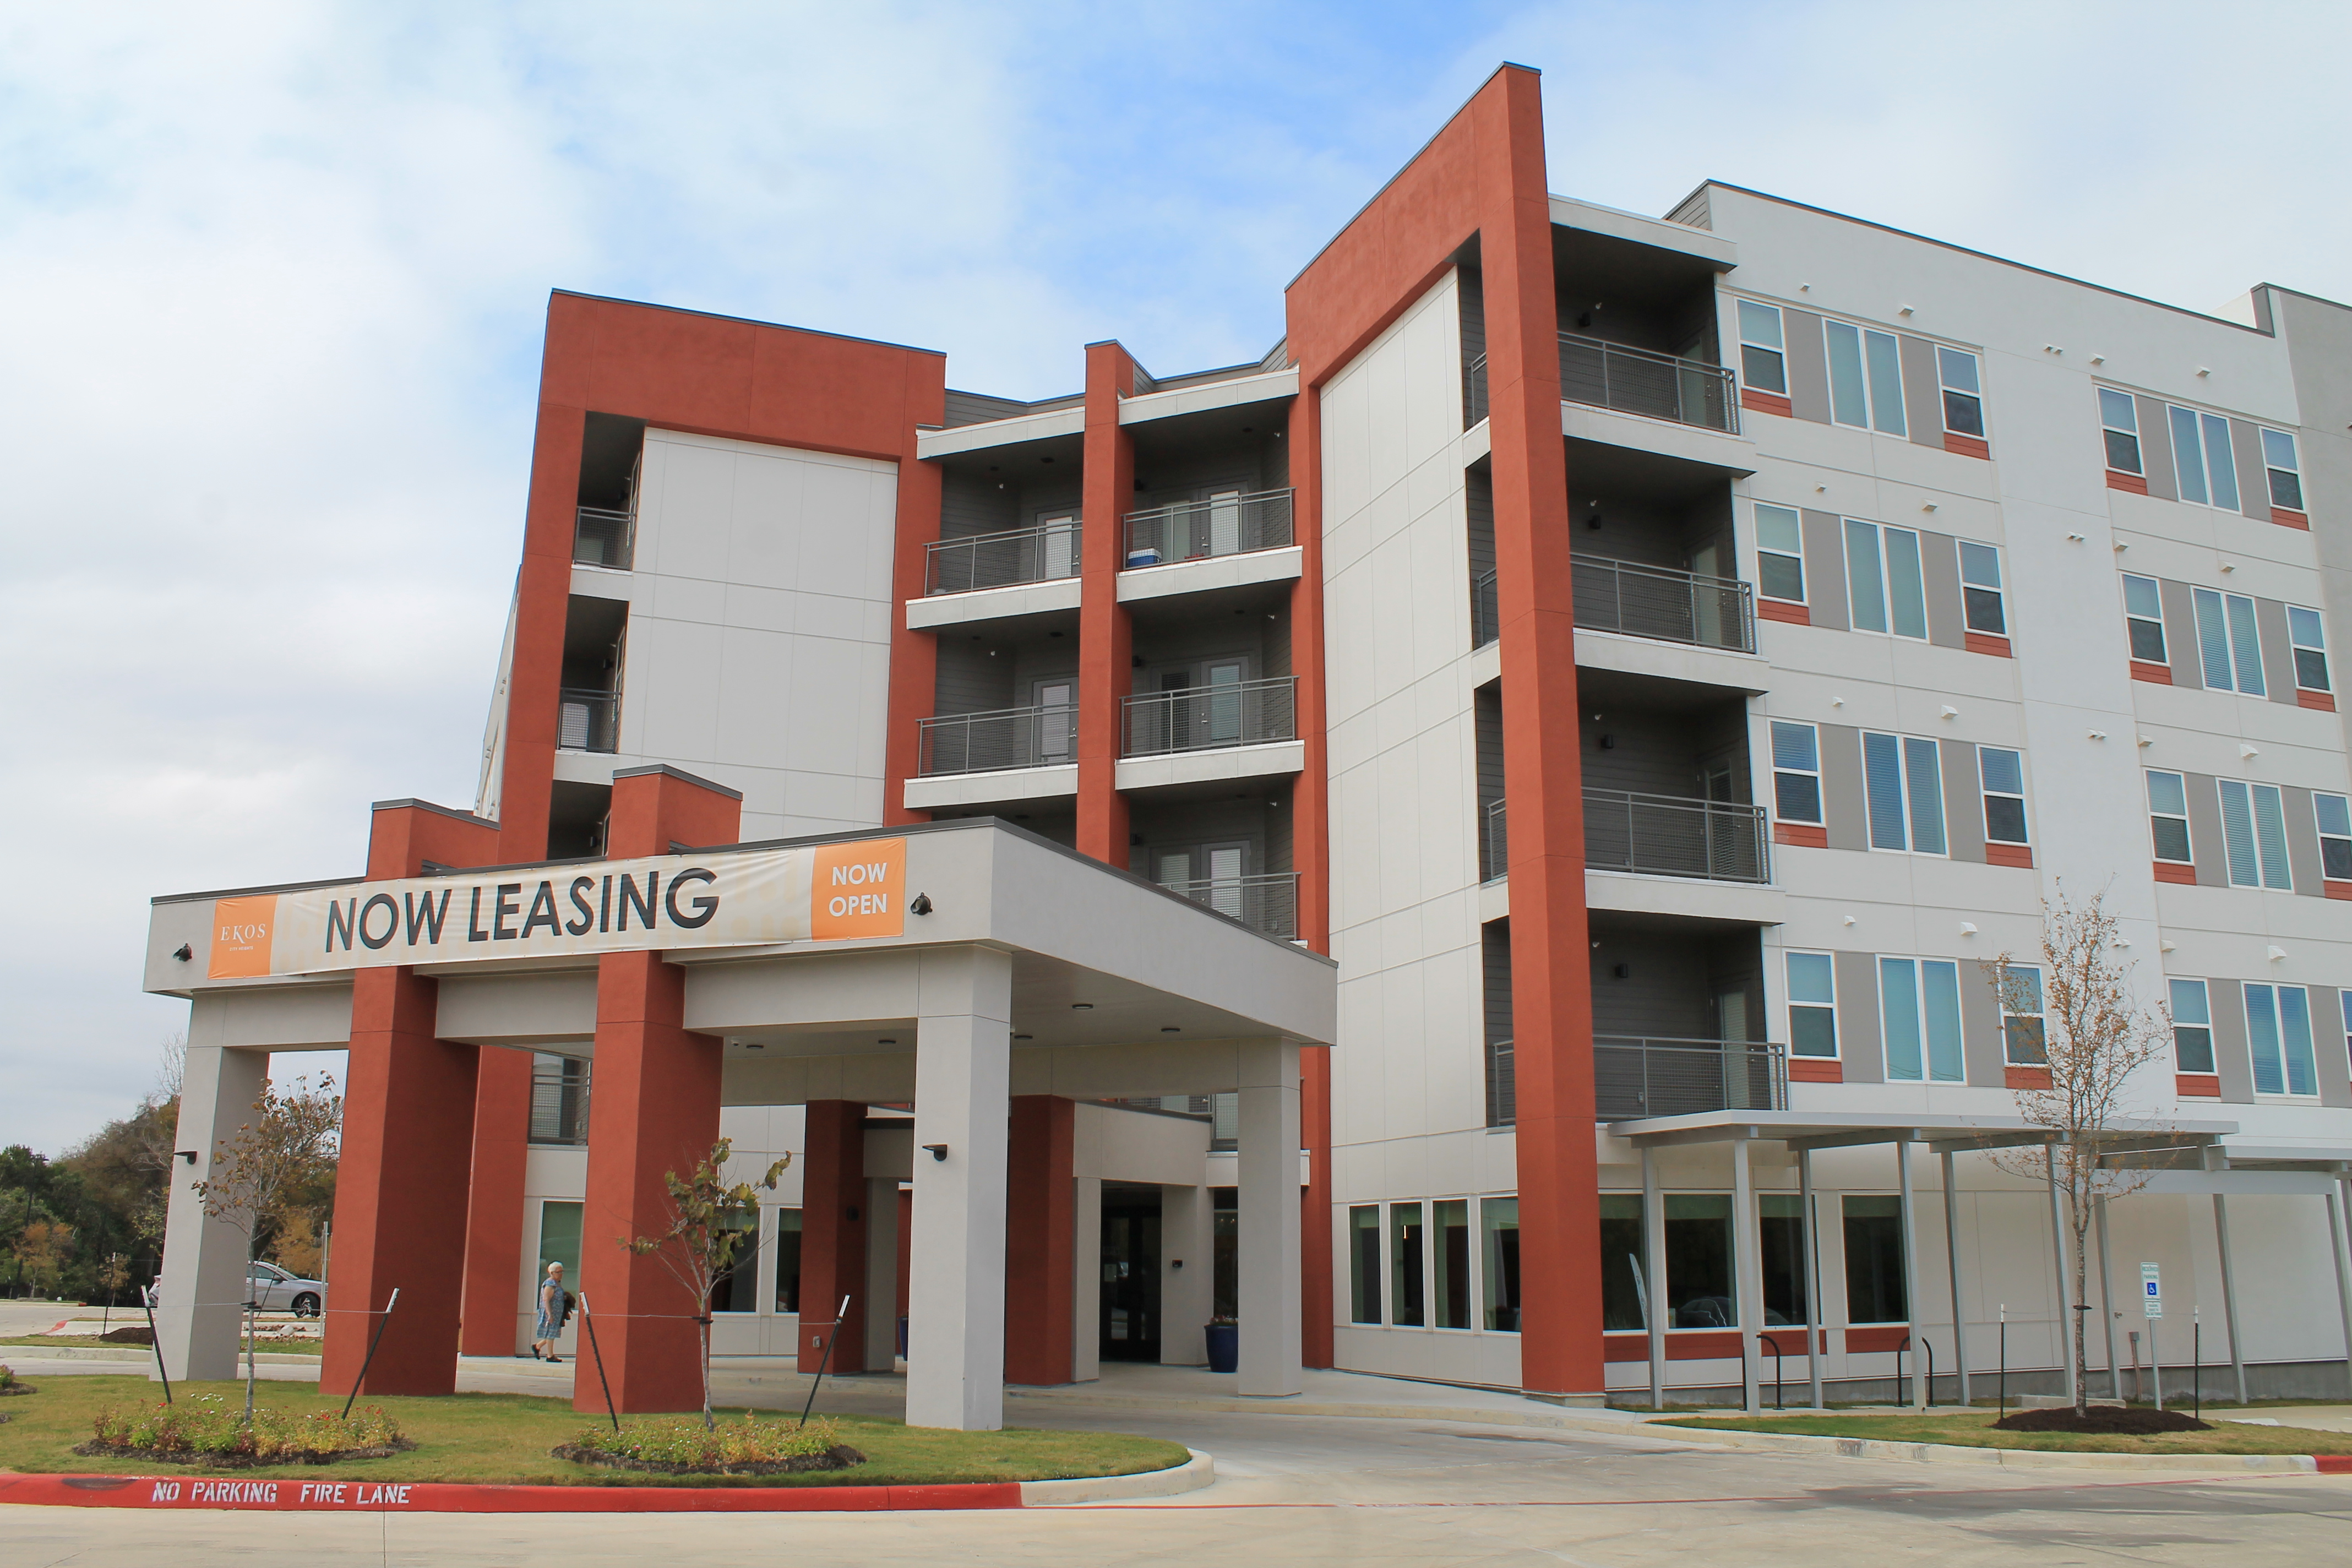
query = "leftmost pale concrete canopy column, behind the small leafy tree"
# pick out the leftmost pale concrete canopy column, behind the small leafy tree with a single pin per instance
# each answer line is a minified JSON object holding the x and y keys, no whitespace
{"x":203,"y":1278}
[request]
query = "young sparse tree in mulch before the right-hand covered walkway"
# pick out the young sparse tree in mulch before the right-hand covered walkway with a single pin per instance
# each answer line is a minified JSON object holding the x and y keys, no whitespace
{"x":2076,"y":1010}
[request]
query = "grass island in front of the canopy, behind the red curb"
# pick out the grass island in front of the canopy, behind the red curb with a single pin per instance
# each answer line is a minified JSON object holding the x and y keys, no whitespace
{"x":507,"y":1438}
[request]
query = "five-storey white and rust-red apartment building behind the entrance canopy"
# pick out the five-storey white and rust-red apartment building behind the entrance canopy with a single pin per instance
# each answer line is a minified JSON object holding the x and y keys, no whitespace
{"x":1662,"y":662}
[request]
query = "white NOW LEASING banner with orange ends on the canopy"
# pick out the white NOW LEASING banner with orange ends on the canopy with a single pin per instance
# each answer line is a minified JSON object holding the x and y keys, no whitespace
{"x":829,"y":892}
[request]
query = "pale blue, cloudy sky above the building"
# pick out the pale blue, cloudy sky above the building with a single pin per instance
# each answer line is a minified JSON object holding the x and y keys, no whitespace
{"x":274,"y":286}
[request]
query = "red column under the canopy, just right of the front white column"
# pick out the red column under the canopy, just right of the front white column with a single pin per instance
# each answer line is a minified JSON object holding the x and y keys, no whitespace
{"x":1041,"y":1207}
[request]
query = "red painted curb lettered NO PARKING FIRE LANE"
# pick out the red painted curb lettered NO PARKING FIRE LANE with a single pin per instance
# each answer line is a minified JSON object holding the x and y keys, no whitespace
{"x":295,"y":1496}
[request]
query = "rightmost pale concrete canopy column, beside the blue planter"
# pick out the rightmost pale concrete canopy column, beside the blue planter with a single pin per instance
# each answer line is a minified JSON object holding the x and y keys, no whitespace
{"x":1267,"y":1266}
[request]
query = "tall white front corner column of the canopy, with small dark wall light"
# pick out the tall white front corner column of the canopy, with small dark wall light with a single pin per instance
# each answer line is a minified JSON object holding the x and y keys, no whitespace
{"x":963,"y":1106}
